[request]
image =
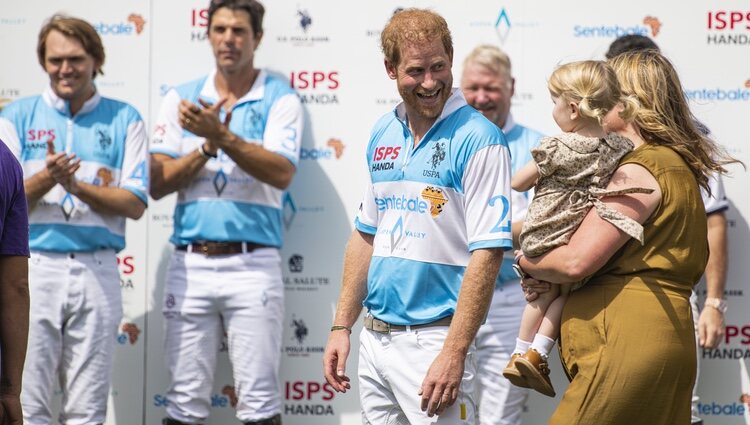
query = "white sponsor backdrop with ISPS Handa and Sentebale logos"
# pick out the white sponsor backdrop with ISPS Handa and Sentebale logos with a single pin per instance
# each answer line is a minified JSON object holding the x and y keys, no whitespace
{"x":337,"y":69}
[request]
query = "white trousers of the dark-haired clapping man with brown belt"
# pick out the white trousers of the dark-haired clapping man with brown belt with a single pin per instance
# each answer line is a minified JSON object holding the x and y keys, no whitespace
{"x":242,"y":295}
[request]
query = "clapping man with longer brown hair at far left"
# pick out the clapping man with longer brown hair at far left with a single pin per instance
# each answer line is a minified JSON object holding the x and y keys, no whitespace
{"x":85,"y":167}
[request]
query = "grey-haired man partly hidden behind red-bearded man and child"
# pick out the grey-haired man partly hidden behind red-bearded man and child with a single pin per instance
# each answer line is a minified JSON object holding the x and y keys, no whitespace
{"x":488,"y":85}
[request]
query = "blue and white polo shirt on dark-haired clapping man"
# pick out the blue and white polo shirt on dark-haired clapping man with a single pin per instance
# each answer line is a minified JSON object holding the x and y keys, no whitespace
{"x":224,"y":203}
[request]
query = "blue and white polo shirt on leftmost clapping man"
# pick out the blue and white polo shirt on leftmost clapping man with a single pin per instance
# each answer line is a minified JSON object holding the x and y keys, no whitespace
{"x":109,"y":138}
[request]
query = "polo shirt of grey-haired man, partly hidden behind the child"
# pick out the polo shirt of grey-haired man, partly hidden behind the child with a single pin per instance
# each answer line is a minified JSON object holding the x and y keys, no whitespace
{"x":521,"y":140}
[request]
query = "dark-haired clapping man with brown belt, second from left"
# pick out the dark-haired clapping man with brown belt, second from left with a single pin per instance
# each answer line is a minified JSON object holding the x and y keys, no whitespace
{"x":228,"y":143}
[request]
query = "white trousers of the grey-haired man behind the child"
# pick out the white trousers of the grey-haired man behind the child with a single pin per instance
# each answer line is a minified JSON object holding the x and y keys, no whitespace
{"x":499,"y":402}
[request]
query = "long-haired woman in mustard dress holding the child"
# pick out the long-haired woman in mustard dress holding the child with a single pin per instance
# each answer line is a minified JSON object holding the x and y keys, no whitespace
{"x":627,"y":339}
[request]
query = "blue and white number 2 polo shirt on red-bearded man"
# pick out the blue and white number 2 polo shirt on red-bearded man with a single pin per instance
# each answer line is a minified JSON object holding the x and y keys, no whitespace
{"x":429,"y":207}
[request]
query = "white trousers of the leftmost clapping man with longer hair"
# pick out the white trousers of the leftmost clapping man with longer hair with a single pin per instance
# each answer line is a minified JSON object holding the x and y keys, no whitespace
{"x":76,"y":308}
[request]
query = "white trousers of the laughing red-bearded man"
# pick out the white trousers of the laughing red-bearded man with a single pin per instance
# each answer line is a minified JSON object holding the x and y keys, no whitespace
{"x":391,"y":370}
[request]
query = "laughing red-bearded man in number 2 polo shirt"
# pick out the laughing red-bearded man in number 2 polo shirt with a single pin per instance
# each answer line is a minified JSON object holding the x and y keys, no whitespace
{"x":429,"y":238}
